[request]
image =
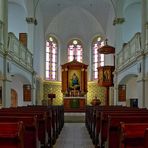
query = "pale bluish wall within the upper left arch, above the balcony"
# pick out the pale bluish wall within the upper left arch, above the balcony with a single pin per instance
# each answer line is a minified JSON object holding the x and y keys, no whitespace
{"x":16,"y":19}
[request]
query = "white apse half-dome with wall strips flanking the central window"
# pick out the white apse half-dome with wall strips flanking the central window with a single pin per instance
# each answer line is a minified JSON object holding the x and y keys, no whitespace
{"x":71,"y":23}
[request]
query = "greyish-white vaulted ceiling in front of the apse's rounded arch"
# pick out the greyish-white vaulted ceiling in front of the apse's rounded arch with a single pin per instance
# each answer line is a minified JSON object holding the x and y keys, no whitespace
{"x":99,"y":9}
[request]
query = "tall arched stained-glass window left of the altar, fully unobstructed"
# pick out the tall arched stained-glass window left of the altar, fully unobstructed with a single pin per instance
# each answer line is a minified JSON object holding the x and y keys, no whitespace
{"x":51,"y":58}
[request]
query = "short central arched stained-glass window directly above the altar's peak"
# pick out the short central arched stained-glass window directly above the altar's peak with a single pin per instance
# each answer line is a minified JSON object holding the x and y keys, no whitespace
{"x":75,"y":50}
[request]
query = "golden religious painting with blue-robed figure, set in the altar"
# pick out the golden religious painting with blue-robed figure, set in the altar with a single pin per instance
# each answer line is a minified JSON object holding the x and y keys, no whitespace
{"x":74,"y":79}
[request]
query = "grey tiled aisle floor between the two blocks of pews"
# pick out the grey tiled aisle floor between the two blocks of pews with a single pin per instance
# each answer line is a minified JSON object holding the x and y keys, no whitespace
{"x":74,"y":135}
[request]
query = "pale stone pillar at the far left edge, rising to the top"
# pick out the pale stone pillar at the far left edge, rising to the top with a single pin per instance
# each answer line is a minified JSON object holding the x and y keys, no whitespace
{"x":6,"y":100}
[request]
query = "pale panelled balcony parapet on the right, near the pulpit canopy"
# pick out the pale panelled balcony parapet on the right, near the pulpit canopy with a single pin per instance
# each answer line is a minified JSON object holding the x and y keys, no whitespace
{"x":130,"y":51}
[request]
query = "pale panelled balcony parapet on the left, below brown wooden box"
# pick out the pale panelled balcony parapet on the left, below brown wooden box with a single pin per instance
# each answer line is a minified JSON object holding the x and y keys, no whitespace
{"x":19,"y":53}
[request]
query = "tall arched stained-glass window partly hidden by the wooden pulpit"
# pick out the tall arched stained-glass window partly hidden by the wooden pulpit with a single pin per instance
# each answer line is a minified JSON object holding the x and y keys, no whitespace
{"x":97,"y":59}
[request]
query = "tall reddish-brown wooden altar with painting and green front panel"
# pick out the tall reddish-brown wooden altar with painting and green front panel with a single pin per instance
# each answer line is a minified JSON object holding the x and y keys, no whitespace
{"x":74,"y":86}
